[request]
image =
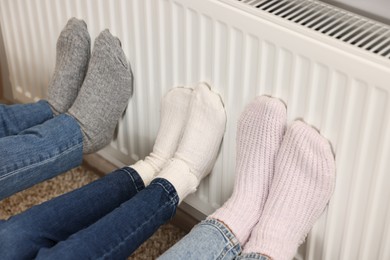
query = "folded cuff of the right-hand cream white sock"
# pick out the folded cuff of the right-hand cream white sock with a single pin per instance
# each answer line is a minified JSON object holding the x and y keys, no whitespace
{"x":178,"y":174}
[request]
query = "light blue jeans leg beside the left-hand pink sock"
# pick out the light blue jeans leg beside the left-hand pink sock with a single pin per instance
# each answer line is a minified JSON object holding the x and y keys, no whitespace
{"x":210,"y":239}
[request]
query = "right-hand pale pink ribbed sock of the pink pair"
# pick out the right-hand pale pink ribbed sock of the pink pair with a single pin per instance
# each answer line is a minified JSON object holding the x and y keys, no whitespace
{"x":303,"y":182}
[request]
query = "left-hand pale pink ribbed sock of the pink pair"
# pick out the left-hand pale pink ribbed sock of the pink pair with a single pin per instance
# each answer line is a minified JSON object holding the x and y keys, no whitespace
{"x":260,"y":131}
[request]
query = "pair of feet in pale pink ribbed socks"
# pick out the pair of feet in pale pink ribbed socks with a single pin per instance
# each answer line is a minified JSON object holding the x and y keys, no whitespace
{"x":284,"y":179}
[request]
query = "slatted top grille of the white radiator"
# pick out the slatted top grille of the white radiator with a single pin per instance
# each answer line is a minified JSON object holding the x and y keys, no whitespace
{"x":337,"y":23}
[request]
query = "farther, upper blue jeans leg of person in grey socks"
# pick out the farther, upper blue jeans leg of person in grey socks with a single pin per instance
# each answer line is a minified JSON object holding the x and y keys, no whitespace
{"x":16,"y":118}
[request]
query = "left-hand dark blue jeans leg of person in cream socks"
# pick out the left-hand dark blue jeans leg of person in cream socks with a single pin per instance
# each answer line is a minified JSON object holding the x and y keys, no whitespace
{"x":53,"y":221}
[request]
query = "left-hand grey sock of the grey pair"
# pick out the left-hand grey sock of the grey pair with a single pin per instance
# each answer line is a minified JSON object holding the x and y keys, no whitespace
{"x":72,"y":56}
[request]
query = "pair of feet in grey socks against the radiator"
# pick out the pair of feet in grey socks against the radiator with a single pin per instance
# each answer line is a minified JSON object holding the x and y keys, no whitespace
{"x":92,"y":88}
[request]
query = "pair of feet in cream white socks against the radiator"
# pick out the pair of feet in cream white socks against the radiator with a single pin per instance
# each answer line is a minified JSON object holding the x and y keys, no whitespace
{"x":192,"y":125}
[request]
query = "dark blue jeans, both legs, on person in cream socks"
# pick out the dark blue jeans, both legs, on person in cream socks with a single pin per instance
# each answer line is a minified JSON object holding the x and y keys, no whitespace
{"x":106,"y":219}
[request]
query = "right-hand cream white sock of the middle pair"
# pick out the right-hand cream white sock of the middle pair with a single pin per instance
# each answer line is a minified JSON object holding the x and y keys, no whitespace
{"x":198,"y":149}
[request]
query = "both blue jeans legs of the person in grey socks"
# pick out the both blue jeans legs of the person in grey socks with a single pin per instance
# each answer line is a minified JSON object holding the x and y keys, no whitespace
{"x":35,"y":146}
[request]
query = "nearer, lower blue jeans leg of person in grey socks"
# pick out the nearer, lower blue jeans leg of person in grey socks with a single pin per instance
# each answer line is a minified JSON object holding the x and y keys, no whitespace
{"x":39,"y":153}
